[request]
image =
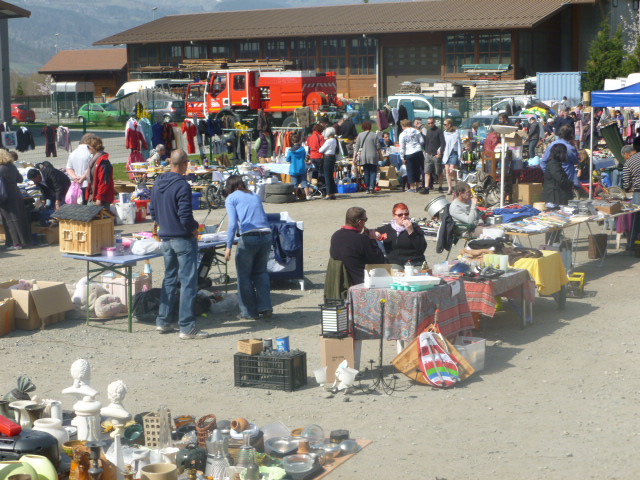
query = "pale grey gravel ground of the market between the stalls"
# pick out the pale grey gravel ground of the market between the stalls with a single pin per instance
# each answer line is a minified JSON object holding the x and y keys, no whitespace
{"x":556,"y":400}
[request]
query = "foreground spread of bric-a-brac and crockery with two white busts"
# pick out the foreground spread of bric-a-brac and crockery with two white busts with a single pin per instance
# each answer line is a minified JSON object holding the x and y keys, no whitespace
{"x":101,"y":440}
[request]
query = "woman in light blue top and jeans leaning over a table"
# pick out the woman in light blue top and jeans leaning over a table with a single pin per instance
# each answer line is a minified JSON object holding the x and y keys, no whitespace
{"x":247,"y":216}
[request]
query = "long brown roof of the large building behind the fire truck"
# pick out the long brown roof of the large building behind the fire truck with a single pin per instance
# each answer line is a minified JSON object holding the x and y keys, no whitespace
{"x":374,"y":18}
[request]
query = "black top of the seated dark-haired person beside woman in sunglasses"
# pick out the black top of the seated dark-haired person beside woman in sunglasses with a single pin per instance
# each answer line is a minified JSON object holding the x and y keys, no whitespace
{"x":355,"y":250}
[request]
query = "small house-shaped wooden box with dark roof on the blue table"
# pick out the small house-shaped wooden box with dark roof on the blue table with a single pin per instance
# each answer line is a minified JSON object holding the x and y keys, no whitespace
{"x":85,"y":229}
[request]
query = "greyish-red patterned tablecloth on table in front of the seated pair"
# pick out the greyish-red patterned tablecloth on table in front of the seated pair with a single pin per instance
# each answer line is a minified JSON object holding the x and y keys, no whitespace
{"x":408,"y":313}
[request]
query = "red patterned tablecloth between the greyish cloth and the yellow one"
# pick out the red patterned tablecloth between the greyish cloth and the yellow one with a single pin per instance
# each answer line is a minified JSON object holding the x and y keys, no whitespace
{"x":513,"y":284}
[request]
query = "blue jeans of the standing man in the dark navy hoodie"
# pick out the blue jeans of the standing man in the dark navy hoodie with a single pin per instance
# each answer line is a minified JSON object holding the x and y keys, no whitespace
{"x":180,"y":263}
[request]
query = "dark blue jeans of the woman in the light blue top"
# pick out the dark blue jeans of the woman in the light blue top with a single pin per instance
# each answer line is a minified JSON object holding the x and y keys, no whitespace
{"x":254,"y":285}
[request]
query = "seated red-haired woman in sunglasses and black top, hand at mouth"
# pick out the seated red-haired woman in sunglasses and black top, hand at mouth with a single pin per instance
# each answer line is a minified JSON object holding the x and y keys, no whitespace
{"x":404,"y":240}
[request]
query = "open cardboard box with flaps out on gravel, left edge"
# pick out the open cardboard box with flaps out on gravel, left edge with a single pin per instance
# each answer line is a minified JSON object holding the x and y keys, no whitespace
{"x":38,"y":308}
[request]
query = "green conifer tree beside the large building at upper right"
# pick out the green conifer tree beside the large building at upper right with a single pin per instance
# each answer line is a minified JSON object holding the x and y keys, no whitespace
{"x":605,"y":57}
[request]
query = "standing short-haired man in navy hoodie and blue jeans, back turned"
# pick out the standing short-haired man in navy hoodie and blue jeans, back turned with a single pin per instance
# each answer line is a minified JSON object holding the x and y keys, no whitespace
{"x":171,"y":208}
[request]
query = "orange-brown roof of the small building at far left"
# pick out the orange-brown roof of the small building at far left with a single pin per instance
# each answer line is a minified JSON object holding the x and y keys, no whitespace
{"x":95,"y":60}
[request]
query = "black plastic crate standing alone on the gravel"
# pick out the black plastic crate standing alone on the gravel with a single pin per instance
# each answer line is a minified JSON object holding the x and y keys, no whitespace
{"x":276,"y":372}
